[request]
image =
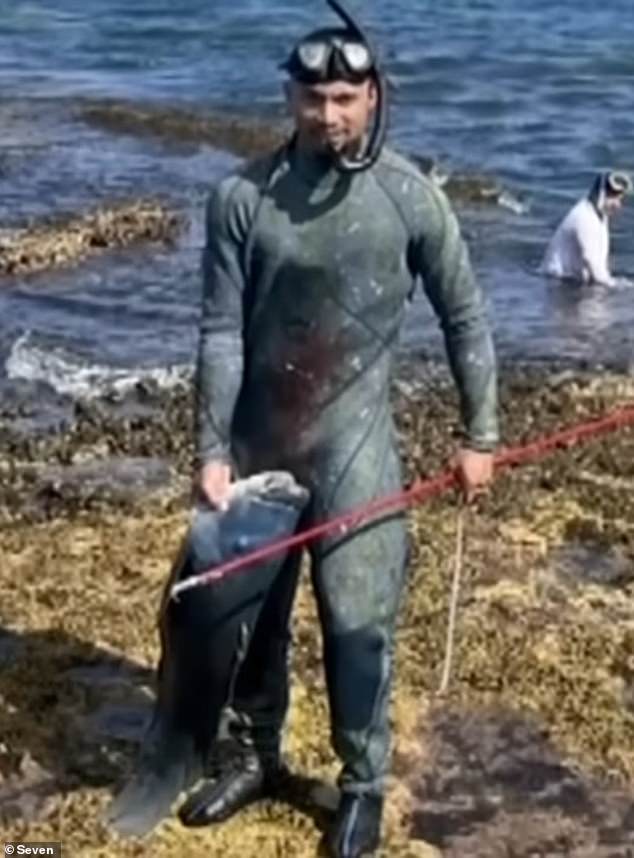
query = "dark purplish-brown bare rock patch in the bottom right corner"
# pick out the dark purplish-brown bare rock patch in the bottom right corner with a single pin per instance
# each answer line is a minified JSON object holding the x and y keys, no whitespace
{"x":496,"y":786}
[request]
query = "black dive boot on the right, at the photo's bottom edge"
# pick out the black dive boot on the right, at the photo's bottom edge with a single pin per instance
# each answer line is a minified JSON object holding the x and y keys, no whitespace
{"x":356,"y":830}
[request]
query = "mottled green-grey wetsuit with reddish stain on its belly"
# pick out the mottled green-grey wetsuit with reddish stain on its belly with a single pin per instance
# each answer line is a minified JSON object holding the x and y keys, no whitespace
{"x":307,"y":272}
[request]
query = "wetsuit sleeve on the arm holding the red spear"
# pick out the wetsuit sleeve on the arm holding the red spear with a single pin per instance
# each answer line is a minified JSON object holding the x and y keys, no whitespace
{"x":439,"y":256}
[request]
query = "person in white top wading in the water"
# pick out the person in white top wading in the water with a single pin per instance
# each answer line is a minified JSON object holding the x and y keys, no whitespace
{"x":580,"y":248}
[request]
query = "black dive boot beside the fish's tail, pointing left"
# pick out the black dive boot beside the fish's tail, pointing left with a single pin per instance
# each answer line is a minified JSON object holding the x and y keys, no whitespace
{"x":241,"y":780}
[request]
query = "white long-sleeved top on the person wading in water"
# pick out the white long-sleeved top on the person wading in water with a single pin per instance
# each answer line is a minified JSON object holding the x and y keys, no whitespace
{"x":580,"y":247}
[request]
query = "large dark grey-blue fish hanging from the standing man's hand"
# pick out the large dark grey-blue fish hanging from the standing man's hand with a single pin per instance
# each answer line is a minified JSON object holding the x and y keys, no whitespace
{"x":204,"y":635}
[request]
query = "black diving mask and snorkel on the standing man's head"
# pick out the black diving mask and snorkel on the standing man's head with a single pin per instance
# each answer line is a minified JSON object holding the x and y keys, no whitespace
{"x":348,"y":52}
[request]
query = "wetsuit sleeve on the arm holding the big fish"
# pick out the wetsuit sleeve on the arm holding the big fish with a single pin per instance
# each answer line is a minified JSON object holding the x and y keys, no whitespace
{"x":220,"y":351}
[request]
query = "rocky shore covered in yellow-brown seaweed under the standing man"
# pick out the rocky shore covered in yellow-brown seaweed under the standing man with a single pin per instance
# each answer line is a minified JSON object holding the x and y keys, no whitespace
{"x":530,"y":753}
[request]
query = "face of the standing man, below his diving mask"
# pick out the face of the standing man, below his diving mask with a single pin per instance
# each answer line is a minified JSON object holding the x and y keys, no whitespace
{"x":331,"y":117}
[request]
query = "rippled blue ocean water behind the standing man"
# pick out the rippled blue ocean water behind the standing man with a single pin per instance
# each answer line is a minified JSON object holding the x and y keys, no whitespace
{"x":540,"y":97}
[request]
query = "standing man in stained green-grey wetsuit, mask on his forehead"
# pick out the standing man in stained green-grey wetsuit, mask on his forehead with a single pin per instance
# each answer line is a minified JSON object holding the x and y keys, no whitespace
{"x":310,"y":260}
